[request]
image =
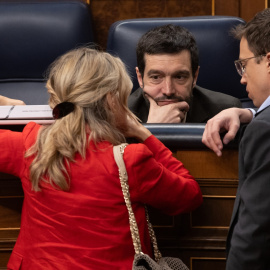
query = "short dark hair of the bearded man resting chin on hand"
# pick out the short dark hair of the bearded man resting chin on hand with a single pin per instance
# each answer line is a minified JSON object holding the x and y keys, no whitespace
{"x":167,"y":39}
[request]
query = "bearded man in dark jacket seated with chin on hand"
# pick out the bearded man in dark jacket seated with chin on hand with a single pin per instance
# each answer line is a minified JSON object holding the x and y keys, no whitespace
{"x":168,"y":68}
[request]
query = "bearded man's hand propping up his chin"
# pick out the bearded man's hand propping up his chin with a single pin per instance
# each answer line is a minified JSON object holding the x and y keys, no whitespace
{"x":169,"y":113}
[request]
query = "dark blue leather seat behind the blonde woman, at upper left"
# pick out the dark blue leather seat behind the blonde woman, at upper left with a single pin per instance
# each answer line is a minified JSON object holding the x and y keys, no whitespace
{"x":32,"y":35}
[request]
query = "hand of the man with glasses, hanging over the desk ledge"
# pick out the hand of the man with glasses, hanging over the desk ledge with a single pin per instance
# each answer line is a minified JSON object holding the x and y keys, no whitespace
{"x":228,"y":120}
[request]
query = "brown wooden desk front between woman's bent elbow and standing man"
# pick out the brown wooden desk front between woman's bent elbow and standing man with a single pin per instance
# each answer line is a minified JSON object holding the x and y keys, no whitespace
{"x":199,"y":238}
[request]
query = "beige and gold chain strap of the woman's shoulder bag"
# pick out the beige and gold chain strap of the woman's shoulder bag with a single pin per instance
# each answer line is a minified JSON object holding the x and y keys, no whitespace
{"x":118,"y":155}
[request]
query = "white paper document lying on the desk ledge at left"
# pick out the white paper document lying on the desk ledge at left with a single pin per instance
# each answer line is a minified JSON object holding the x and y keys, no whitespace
{"x":25,"y":112}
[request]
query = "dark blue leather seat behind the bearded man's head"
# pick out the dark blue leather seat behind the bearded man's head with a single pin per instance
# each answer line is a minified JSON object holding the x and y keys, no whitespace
{"x":217,"y":49}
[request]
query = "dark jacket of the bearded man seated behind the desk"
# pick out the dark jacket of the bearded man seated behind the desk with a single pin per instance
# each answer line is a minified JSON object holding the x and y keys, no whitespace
{"x":205,"y":104}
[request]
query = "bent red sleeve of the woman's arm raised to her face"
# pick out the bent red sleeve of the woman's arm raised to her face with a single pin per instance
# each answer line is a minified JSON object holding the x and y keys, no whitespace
{"x":160,"y":180}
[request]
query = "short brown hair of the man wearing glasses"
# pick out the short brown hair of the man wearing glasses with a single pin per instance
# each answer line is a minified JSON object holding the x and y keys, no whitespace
{"x":256,"y":32}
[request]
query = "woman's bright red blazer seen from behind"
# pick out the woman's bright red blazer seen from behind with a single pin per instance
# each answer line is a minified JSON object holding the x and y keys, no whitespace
{"x":87,"y":227}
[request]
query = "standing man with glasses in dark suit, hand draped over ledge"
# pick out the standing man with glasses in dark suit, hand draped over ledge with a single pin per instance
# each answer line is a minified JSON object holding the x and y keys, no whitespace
{"x":248,"y":243}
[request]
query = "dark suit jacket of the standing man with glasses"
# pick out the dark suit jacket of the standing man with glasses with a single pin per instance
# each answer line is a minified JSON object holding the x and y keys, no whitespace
{"x":248,"y":243}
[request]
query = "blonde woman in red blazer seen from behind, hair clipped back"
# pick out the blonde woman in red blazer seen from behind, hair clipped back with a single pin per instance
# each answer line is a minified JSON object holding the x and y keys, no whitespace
{"x":74,"y":215}
